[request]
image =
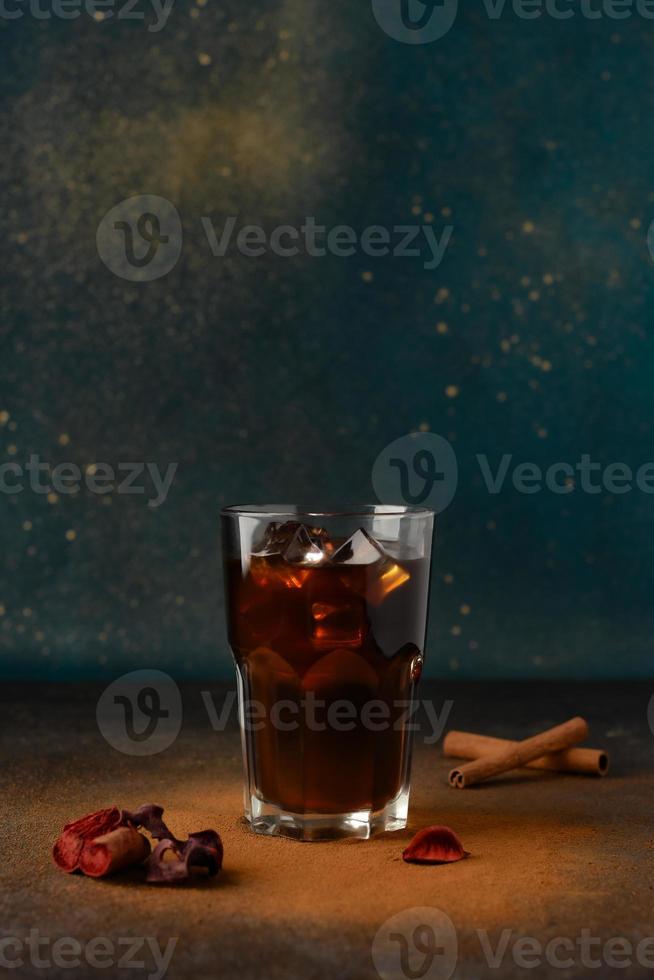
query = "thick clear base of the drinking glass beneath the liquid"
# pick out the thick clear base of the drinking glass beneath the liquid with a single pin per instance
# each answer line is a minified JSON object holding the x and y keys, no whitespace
{"x":272,"y":820}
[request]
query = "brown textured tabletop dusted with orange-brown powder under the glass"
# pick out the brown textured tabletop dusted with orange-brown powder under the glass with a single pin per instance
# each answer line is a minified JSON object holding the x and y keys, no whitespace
{"x":552,"y":856}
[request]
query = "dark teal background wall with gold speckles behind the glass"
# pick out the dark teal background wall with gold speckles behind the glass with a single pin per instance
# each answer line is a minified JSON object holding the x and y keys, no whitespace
{"x":282,"y":379}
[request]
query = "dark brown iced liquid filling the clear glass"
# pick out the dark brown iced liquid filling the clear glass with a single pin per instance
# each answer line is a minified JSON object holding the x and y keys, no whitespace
{"x":317,"y":635}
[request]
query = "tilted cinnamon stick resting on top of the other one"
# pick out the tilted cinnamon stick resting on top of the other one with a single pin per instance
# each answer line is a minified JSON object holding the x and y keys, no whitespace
{"x":515,"y":756}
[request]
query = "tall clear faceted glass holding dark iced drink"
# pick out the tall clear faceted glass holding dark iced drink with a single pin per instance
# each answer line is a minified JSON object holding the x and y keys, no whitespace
{"x":326,"y":620}
